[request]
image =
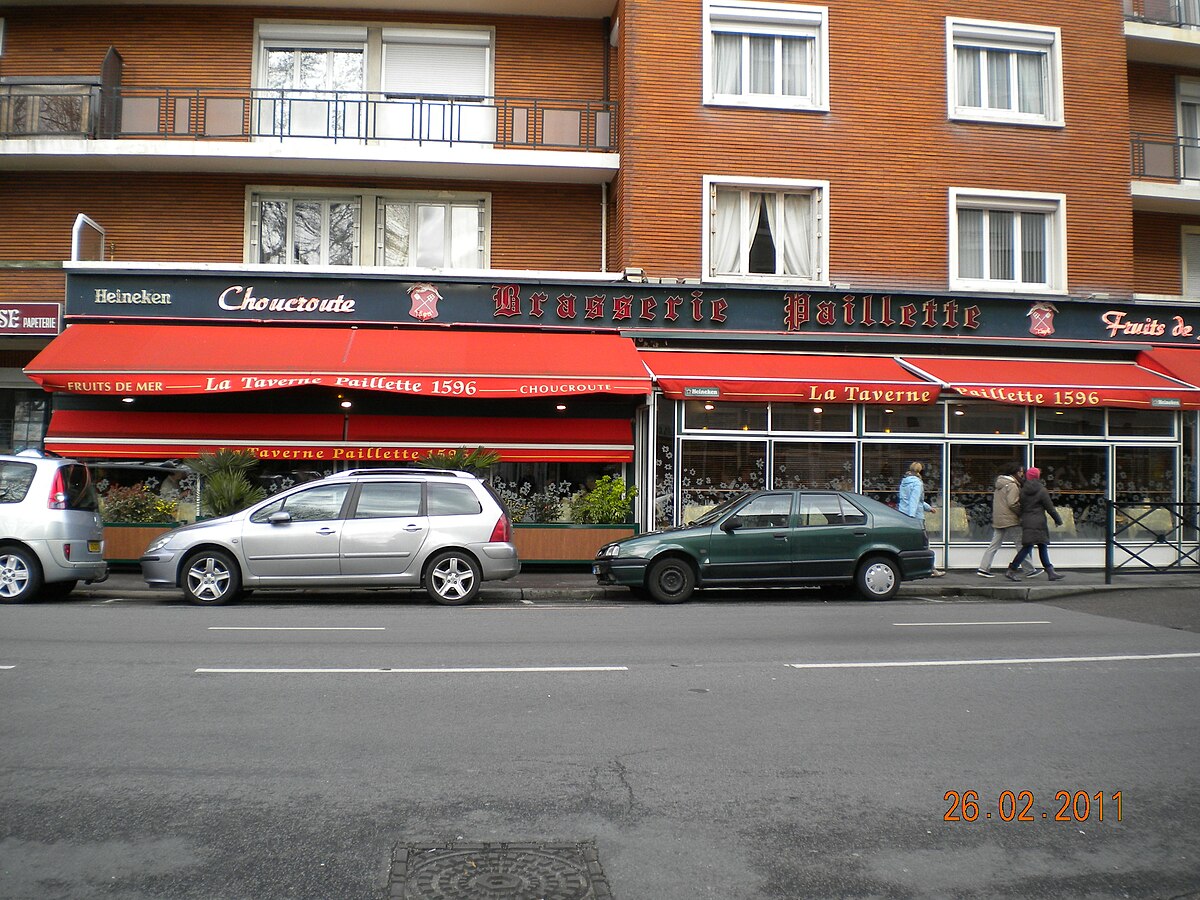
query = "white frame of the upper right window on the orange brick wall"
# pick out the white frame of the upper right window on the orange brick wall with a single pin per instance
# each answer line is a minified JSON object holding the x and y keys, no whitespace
{"x":1013,"y":38}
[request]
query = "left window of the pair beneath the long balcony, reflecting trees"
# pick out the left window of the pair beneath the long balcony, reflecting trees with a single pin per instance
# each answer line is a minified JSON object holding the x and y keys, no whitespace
{"x":307,"y":231}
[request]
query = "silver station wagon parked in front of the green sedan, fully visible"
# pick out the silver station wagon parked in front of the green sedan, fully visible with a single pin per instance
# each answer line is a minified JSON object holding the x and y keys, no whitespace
{"x":368,"y":529}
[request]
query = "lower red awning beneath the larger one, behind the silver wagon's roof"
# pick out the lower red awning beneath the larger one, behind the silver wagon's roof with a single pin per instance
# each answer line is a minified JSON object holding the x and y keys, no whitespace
{"x":334,"y":439}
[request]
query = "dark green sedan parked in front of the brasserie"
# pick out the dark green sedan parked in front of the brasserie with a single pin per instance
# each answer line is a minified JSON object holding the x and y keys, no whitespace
{"x":775,"y":539}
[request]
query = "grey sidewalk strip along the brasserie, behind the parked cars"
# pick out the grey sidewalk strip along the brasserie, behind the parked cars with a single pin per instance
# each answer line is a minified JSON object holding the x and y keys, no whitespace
{"x":579,"y":586}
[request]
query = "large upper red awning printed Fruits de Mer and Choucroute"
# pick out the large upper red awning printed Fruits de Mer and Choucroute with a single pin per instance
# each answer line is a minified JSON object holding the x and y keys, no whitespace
{"x":219,"y":359}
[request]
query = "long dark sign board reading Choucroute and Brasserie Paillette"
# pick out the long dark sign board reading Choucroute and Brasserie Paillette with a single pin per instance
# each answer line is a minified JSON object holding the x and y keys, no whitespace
{"x":254,"y":297}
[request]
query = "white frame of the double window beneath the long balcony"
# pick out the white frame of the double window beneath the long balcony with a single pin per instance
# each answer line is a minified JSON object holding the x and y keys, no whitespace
{"x":367,"y":245}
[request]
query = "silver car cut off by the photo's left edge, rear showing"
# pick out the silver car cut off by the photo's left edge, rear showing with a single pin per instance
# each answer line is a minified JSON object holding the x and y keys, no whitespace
{"x":51,"y":535}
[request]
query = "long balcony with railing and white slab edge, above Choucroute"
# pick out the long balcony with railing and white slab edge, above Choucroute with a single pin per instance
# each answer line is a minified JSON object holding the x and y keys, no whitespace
{"x":297,"y":131}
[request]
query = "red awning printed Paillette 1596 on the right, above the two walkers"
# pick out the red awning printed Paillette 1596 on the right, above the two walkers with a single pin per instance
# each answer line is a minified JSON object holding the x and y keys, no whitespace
{"x":1058,"y":383}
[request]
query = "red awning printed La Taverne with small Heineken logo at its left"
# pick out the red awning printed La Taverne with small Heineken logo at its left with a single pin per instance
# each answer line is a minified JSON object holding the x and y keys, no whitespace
{"x":799,"y":377}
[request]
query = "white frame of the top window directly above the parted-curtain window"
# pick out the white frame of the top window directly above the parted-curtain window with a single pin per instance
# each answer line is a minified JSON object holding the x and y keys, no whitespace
{"x":753,"y":17}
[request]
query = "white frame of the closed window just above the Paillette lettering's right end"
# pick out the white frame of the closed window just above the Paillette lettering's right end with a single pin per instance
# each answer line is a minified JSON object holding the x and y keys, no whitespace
{"x":1053,"y":205}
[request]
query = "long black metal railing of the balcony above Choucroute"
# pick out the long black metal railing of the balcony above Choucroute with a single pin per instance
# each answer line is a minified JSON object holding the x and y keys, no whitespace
{"x":271,"y":115}
